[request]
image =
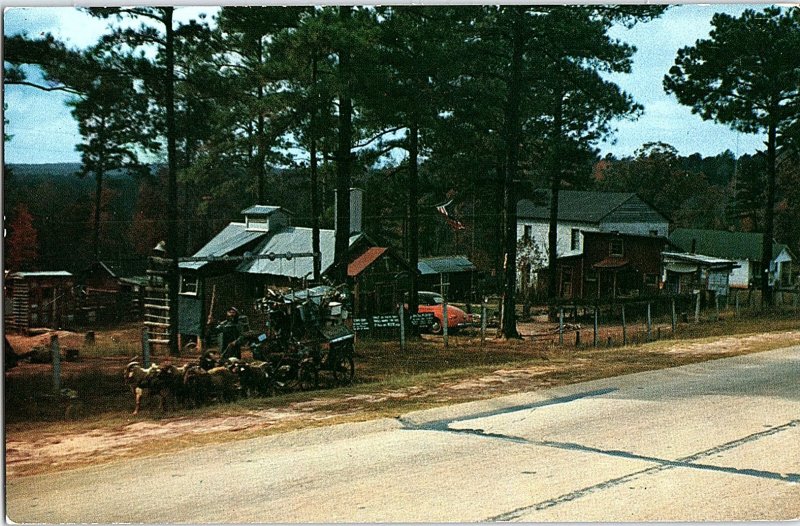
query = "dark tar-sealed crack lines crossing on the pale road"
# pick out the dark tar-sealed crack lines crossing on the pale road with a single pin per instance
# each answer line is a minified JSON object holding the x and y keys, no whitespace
{"x":661,"y":464}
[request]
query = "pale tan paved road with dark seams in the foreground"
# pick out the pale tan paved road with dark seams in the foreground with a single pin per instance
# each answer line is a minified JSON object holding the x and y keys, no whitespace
{"x":713,"y":441}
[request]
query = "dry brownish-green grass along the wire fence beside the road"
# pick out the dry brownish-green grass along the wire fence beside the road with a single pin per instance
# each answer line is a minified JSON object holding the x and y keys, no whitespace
{"x":382,"y":366}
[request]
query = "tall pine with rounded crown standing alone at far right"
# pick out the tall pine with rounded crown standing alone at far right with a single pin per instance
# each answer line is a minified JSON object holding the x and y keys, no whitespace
{"x":746,"y":75}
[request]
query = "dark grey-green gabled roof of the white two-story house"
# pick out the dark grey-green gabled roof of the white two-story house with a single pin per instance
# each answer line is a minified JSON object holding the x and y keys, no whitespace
{"x":590,"y":207}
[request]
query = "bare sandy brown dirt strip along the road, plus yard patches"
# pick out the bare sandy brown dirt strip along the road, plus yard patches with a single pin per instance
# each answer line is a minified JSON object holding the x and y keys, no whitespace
{"x":63,"y":445}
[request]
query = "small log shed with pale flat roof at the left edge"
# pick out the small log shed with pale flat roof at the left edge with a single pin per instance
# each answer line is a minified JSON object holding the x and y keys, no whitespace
{"x":38,"y":299}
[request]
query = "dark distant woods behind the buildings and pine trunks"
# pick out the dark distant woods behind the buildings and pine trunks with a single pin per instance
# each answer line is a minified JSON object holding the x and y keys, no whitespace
{"x":720,"y":192}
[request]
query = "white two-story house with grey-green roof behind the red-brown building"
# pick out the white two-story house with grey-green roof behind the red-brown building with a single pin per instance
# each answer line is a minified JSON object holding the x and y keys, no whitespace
{"x":579,"y":211}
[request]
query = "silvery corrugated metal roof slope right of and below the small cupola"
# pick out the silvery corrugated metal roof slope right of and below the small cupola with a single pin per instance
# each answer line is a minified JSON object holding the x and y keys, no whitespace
{"x":296,"y":240}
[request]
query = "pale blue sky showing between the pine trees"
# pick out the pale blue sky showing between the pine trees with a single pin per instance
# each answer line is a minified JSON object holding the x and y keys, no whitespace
{"x":44,"y":131}
